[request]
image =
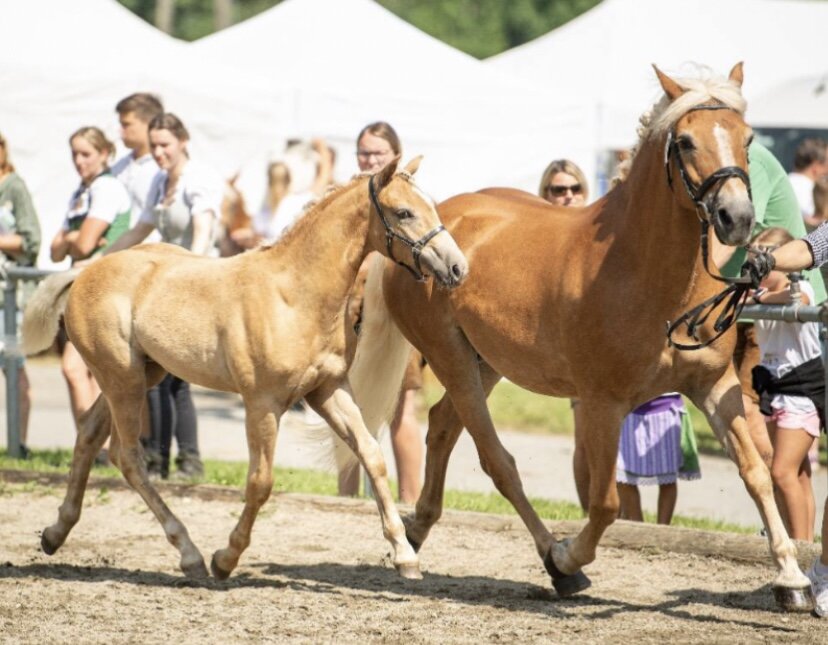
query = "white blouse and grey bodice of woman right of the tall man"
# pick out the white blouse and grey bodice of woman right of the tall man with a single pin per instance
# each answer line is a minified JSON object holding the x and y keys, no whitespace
{"x":198,"y":190}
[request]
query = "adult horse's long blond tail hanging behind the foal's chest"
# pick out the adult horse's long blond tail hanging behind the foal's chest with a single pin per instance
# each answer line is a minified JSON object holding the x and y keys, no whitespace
{"x":382,"y":355}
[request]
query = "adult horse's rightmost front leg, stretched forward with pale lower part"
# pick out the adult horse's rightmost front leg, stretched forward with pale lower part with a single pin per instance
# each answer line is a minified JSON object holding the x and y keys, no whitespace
{"x":723,"y":406}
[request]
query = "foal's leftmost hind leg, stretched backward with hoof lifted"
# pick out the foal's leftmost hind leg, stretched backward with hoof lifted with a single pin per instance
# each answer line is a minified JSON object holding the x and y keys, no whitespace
{"x":95,"y":427}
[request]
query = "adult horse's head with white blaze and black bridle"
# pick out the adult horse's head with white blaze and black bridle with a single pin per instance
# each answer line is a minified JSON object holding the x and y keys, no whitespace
{"x":706,"y":153}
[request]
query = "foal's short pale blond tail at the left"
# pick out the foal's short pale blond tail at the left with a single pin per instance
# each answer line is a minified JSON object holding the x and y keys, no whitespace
{"x":41,"y":317}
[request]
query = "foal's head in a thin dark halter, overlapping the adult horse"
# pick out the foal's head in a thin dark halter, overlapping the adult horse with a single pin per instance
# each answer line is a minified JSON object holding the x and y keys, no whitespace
{"x":406,"y":228}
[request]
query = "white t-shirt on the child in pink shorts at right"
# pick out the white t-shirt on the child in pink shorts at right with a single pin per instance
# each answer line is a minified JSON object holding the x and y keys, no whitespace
{"x":785,"y":346}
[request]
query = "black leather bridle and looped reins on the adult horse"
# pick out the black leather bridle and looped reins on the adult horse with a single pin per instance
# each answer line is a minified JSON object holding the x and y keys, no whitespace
{"x":735,"y":294}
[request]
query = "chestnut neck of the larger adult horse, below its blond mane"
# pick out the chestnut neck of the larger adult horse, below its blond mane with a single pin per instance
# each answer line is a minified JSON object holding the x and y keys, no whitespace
{"x":660,"y":230}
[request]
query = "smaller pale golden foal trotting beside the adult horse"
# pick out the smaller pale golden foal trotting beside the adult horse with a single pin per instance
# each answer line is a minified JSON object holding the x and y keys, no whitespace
{"x":270,"y":324}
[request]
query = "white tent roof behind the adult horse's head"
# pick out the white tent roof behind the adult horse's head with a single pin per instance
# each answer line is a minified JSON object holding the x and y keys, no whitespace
{"x":603,"y":57}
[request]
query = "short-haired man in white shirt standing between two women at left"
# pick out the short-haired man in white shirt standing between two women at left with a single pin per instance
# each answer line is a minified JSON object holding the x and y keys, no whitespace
{"x":136,"y":169}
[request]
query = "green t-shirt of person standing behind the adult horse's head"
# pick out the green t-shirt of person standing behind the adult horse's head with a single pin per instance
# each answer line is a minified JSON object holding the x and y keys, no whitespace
{"x":774,"y":204}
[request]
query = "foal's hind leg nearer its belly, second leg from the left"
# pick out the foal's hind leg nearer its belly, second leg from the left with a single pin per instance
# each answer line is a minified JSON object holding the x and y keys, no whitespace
{"x":127,"y":399}
